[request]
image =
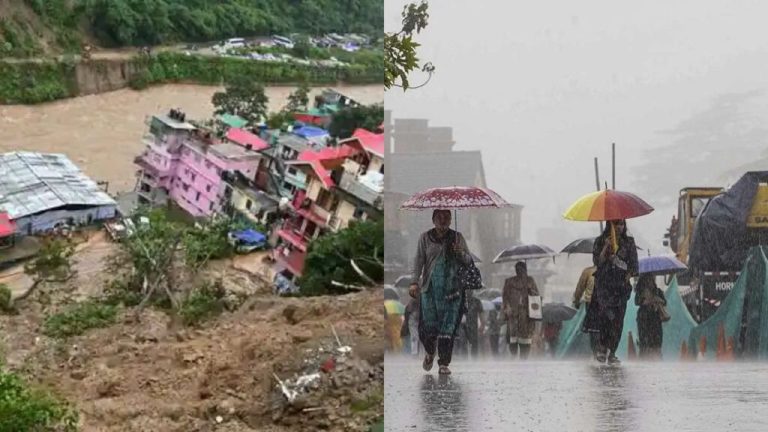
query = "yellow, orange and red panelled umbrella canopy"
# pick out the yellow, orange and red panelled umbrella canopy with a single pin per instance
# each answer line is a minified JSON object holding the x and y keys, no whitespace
{"x":607,"y":205}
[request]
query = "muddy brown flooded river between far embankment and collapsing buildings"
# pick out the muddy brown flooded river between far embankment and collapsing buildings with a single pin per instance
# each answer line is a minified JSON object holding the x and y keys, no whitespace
{"x":102,"y":133}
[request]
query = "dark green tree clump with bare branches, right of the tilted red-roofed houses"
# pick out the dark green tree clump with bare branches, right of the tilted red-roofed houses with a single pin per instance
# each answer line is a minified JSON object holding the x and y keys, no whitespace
{"x":343,"y":261}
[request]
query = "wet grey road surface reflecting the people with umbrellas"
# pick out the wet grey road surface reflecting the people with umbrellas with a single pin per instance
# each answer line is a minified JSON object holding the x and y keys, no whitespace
{"x":579,"y":395}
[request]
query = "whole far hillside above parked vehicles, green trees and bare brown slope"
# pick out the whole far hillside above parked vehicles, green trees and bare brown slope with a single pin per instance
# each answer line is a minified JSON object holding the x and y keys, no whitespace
{"x":36,"y":27}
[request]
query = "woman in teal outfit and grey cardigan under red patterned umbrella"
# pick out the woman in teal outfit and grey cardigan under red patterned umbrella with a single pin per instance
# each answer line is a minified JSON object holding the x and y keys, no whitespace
{"x":440,"y":251}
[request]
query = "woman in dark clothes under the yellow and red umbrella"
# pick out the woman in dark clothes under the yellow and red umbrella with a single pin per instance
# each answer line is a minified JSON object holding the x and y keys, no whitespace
{"x":616,"y":261}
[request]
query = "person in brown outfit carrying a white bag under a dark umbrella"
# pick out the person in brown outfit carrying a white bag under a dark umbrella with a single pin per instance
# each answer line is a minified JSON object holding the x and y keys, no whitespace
{"x":520,"y":327}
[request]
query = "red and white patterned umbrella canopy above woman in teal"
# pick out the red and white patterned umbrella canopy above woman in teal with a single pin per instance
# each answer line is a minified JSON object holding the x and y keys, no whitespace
{"x":455,"y":197}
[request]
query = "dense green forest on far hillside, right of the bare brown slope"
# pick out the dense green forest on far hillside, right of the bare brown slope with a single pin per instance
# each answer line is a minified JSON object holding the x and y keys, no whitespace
{"x":147,"y":22}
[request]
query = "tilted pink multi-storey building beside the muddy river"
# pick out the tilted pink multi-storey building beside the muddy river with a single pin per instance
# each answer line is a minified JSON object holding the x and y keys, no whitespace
{"x":185,"y":164}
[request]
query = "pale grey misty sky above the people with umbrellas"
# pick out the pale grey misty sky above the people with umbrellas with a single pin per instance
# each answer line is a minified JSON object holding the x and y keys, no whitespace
{"x":543,"y":87}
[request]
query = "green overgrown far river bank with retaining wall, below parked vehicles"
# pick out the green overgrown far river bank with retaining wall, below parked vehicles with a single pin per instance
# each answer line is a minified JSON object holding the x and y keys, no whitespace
{"x":36,"y":81}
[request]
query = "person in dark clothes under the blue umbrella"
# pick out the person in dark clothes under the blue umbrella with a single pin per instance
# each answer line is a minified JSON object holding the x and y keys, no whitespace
{"x":650,"y":298}
